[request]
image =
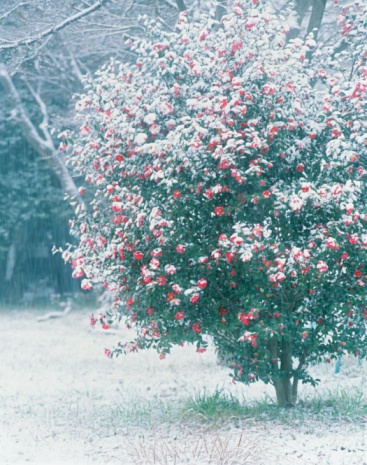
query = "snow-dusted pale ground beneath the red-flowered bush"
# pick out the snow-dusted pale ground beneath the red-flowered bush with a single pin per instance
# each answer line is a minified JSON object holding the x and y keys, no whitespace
{"x":62,"y":402}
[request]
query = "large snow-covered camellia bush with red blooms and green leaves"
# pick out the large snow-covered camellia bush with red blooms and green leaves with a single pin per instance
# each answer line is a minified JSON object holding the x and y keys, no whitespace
{"x":225,"y":178}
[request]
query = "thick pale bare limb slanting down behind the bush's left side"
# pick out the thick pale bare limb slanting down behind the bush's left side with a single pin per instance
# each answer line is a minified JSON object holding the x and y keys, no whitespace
{"x":45,"y":147}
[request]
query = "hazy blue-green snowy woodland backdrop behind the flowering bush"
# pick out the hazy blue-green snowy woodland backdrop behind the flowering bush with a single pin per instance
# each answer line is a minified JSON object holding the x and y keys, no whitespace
{"x":46,"y":48}
